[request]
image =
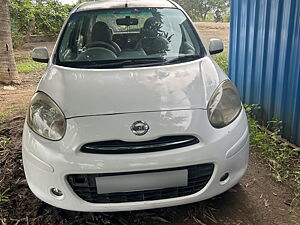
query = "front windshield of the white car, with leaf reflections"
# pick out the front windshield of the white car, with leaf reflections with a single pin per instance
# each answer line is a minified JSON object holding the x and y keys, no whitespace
{"x":130,"y":37}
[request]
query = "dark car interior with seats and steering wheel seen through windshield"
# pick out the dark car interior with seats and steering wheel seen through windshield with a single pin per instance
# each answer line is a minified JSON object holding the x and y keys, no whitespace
{"x":92,"y":39}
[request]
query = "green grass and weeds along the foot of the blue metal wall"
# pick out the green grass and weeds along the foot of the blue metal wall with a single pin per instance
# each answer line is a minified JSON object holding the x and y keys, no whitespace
{"x":279,"y":156}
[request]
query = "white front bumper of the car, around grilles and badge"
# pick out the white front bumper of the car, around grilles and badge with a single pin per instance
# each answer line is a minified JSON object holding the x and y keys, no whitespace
{"x":47,"y":163}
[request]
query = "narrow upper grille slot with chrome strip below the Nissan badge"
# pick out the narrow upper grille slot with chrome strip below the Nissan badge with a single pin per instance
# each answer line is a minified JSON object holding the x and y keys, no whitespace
{"x":124,"y":147}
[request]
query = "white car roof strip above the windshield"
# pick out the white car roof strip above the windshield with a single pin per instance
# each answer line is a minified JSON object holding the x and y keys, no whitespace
{"x":113,"y":4}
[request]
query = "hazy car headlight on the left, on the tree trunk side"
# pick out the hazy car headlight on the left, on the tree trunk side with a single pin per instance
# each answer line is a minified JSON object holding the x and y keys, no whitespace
{"x":46,"y":118}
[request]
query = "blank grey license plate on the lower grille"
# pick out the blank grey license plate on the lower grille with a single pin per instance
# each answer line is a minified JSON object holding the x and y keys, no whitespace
{"x":142,"y":181}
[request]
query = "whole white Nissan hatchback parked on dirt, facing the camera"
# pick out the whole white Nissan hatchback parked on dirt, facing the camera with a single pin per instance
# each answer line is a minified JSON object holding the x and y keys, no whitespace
{"x":132,"y":113}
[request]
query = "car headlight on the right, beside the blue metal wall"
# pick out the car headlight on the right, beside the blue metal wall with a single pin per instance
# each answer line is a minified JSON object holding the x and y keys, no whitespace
{"x":224,"y":105}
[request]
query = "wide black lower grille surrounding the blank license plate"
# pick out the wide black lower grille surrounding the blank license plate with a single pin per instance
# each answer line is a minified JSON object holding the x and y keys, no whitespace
{"x":84,"y":185}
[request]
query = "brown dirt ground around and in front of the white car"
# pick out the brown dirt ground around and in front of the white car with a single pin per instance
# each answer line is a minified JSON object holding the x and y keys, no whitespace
{"x":258,"y":199}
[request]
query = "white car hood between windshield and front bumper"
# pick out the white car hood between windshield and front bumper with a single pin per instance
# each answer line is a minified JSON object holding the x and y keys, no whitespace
{"x":87,"y":92}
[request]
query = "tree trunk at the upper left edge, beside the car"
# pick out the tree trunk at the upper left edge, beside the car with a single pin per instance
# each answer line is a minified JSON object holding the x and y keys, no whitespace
{"x":8,"y":70}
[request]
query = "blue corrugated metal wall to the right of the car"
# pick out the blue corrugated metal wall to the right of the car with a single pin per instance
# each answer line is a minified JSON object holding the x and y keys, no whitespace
{"x":264,"y":60}
